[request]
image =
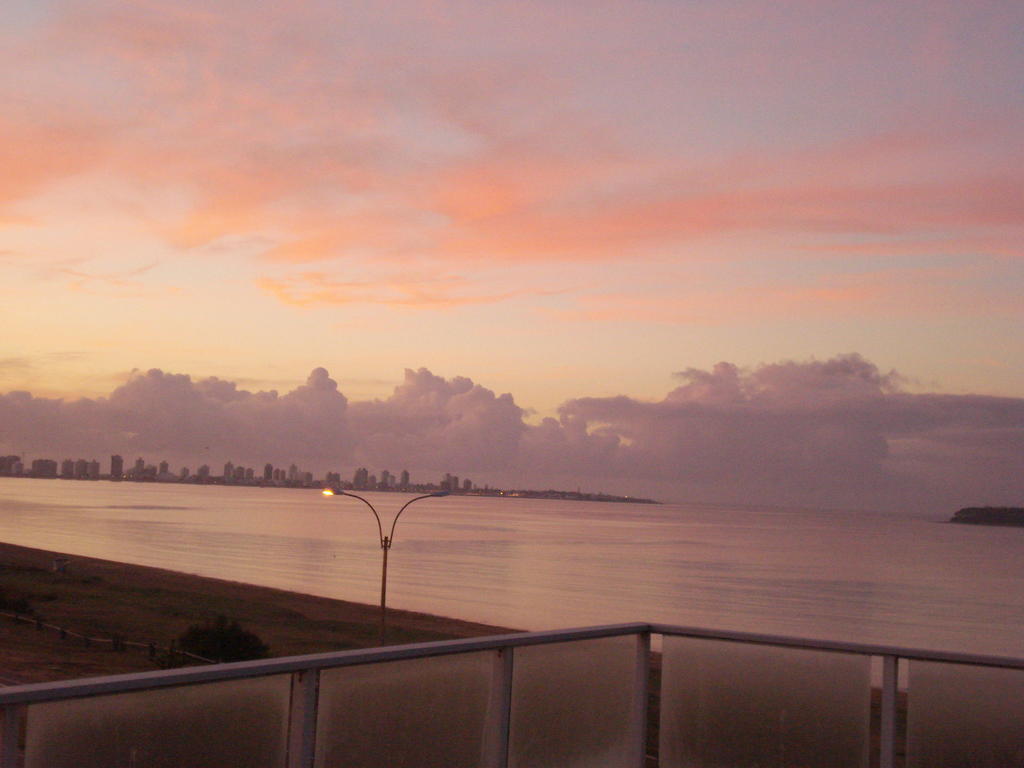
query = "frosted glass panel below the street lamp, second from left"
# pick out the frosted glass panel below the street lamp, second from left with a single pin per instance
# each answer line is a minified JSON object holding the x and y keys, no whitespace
{"x":424,"y":713}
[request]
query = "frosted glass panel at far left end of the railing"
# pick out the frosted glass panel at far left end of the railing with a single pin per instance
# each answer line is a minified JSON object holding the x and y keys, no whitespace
{"x":239,"y":724}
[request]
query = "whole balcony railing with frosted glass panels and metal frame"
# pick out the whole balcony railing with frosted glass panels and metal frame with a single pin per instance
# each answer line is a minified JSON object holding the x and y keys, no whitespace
{"x":573,"y":699}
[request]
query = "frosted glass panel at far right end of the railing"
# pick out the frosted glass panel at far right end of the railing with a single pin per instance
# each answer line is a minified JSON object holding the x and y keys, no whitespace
{"x":965,"y":717}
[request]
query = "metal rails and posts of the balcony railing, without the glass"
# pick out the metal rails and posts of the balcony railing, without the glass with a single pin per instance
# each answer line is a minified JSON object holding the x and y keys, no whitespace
{"x":307,"y":671}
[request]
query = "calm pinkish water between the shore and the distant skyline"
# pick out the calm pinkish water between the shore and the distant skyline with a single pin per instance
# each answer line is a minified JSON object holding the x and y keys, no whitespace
{"x":541,"y":565}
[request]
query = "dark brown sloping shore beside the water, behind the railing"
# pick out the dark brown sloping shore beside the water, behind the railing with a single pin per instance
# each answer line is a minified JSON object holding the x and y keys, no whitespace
{"x":102,"y":600}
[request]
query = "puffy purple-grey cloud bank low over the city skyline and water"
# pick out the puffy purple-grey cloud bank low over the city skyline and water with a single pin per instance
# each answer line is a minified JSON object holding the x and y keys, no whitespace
{"x":836,"y":434}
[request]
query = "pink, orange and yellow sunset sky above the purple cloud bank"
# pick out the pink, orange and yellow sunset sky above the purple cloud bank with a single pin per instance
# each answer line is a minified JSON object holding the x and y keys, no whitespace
{"x":560,"y":200}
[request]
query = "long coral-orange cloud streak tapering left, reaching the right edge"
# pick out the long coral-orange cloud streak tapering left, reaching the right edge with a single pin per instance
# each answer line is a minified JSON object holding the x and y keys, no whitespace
{"x":823,"y":200}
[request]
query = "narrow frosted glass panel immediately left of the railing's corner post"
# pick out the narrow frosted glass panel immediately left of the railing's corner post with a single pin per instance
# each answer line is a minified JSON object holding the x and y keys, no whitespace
{"x":572,"y":705}
